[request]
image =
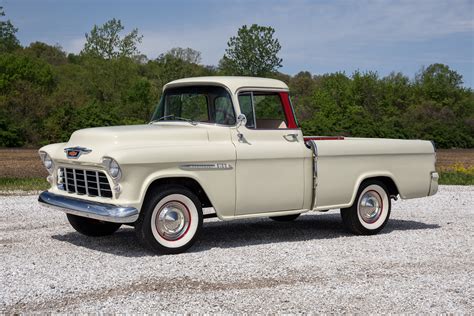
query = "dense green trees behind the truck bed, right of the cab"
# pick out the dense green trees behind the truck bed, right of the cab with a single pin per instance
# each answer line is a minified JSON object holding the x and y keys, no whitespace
{"x":433,"y":106}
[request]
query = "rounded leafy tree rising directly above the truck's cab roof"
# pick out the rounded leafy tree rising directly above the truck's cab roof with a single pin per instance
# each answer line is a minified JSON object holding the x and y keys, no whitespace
{"x":253,"y":52}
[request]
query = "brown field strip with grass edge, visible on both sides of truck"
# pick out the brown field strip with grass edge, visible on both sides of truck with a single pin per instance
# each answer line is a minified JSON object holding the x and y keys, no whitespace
{"x":21,"y":169}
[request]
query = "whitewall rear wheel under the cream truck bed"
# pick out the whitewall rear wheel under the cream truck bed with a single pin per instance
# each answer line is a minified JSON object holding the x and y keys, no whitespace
{"x":370,"y":211}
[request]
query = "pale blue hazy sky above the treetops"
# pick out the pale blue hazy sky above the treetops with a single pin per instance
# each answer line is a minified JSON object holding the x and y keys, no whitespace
{"x":318,"y":36}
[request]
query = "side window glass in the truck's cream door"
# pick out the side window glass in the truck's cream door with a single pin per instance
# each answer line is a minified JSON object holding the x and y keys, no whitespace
{"x":263,"y":110}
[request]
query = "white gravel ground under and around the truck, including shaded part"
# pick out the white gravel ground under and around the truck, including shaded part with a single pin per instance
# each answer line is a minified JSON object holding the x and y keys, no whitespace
{"x":422,"y":262}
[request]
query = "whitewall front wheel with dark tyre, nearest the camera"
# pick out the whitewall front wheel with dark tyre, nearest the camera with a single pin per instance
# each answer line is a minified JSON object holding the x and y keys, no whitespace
{"x":170,"y":220}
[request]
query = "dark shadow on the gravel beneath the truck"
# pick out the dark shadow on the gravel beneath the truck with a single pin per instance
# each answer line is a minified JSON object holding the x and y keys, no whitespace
{"x":239,"y":233}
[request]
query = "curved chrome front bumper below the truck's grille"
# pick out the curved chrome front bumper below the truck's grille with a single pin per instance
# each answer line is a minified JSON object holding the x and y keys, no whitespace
{"x":100,"y":211}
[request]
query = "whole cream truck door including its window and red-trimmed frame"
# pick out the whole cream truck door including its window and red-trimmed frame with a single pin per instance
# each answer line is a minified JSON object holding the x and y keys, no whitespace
{"x":269,"y":168}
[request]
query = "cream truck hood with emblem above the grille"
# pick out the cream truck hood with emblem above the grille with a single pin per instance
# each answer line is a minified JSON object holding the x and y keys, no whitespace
{"x":103,"y":140}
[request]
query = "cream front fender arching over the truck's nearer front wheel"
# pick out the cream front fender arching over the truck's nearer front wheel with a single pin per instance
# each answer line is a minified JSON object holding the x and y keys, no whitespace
{"x":142,"y":166}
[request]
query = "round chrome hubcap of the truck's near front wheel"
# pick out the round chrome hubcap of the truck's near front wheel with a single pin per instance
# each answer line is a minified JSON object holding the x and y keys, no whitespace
{"x":172,"y":221}
